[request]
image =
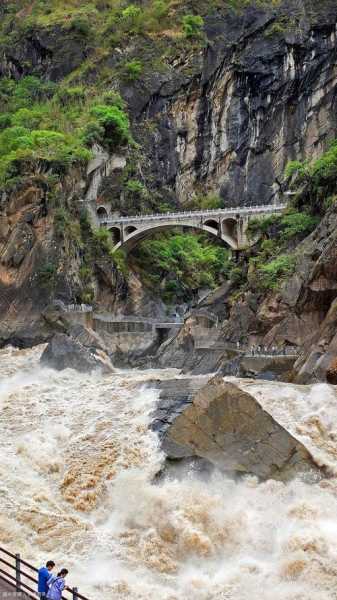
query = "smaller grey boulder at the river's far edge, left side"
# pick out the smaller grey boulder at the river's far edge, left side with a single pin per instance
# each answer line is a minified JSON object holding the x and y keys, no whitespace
{"x":63,"y":352}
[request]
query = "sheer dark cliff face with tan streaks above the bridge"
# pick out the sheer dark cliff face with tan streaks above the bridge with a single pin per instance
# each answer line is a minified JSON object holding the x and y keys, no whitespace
{"x":262,"y":93}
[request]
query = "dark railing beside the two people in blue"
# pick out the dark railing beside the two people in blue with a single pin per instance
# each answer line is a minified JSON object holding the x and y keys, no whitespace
{"x":13,"y":575}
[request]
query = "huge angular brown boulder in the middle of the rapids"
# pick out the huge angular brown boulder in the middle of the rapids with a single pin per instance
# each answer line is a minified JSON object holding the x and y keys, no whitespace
{"x":229,"y":428}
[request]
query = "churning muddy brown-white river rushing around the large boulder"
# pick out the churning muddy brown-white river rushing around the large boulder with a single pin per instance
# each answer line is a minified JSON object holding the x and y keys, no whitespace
{"x":77,"y":466}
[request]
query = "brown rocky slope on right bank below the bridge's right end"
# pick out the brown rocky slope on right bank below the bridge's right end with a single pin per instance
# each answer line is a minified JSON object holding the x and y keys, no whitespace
{"x":302,"y":315}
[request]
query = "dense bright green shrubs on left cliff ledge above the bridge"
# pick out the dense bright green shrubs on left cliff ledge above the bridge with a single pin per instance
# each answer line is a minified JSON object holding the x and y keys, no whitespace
{"x":48,"y":128}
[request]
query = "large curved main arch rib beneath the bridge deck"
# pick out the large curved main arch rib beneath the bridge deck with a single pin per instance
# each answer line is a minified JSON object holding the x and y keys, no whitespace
{"x":131,"y":240}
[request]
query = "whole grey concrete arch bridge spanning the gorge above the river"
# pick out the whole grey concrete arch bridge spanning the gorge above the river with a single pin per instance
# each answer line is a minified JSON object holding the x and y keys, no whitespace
{"x":229,"y":224}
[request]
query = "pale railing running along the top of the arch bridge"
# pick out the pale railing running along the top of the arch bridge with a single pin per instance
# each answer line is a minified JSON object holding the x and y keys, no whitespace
{"x":196,"y":213}
